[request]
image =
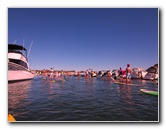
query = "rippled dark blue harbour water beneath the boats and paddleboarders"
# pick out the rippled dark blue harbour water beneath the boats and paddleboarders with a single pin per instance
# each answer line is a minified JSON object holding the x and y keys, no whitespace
{"x":80,"y":99}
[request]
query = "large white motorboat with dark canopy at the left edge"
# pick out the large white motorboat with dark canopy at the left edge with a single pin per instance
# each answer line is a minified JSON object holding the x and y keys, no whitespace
{"x":18,"y":66}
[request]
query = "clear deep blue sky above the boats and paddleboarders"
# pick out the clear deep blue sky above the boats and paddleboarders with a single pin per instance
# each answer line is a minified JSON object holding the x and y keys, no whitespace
{"x":81,"y":38}
